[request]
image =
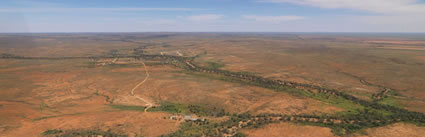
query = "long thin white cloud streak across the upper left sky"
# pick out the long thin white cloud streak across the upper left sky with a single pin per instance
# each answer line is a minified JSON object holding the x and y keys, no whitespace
{"x":91,"y":9}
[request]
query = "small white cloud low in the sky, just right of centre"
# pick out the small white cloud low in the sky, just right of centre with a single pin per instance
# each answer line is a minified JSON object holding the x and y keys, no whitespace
{"x":273,"y":19}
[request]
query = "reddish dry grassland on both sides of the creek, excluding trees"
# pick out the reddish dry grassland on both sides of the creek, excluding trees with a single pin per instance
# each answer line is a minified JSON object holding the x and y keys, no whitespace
{"x":76,"y":94}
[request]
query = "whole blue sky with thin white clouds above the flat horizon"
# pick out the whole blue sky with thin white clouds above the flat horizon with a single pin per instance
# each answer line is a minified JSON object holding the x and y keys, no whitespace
{"x":212,"y":16}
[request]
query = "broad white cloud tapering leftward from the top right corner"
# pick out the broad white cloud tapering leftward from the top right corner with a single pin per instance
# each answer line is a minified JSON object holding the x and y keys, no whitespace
{"x":376,"y":6}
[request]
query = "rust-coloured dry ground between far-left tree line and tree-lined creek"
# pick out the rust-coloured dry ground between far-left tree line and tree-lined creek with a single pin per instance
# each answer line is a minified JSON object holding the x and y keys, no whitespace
{"x":68,"y":94}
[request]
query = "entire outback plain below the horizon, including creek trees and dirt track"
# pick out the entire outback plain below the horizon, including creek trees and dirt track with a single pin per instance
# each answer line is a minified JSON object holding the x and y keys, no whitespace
{"x":212,"y":84}
